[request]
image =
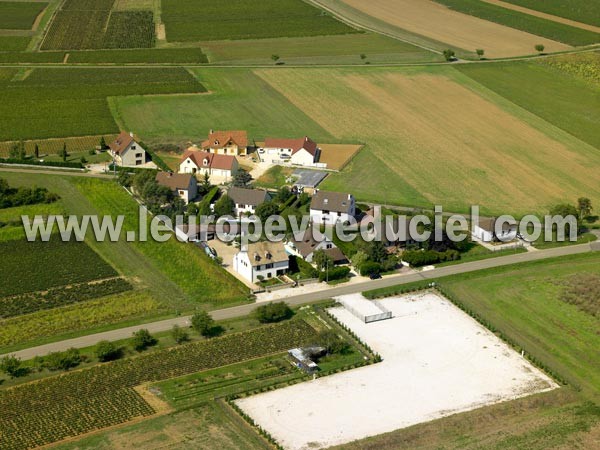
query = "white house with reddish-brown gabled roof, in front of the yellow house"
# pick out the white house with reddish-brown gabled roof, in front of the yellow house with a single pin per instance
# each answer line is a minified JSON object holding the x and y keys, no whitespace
{"x":195,"y":161}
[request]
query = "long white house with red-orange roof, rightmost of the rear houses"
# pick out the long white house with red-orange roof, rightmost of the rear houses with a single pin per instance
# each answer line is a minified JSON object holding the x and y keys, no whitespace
{"x":301,"y":152}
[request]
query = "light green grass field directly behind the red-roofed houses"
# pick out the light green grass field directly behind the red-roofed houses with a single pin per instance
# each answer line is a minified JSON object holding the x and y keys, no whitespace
{"x":237,"y":99}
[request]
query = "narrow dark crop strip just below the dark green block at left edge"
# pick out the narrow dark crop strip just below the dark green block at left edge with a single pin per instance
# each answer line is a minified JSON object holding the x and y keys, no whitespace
{"x":65,"y":295}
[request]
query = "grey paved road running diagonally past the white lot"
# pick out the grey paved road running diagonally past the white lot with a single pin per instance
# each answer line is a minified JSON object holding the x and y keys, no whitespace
{"x":296,"y":300}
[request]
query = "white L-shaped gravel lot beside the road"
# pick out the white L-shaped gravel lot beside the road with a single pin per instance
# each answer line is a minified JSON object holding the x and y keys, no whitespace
{"x":437,"y":361}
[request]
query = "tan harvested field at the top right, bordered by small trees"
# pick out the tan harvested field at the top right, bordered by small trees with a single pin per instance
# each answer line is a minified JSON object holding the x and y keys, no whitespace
{"x":437,"y":22}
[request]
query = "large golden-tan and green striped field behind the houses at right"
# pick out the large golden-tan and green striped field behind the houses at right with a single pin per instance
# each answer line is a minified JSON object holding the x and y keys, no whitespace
{"x":420,"y":150}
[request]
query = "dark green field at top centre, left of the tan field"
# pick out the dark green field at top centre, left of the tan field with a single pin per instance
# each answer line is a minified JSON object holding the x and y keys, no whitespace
{"x":246,"y":19}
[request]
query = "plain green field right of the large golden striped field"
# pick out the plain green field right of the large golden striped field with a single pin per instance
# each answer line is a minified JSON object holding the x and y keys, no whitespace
{"x":556,"y":96}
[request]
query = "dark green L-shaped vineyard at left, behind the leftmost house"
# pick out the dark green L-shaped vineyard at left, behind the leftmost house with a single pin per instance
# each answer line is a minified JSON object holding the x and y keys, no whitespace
{"x":52,"y":103}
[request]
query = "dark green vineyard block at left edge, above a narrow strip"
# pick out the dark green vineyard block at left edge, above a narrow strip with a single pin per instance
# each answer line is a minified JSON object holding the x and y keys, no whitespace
{"x":36,"y":266}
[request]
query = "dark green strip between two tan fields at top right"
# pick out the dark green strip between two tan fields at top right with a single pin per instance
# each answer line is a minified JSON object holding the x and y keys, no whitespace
{"x":524,"y":22}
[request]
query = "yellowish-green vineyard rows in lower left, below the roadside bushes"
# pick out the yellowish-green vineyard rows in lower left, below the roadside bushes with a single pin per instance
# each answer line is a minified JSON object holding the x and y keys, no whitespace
{"x":54,"y":408}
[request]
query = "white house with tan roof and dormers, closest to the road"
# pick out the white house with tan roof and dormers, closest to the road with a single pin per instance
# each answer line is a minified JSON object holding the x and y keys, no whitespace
{"x":261,"y":260}
